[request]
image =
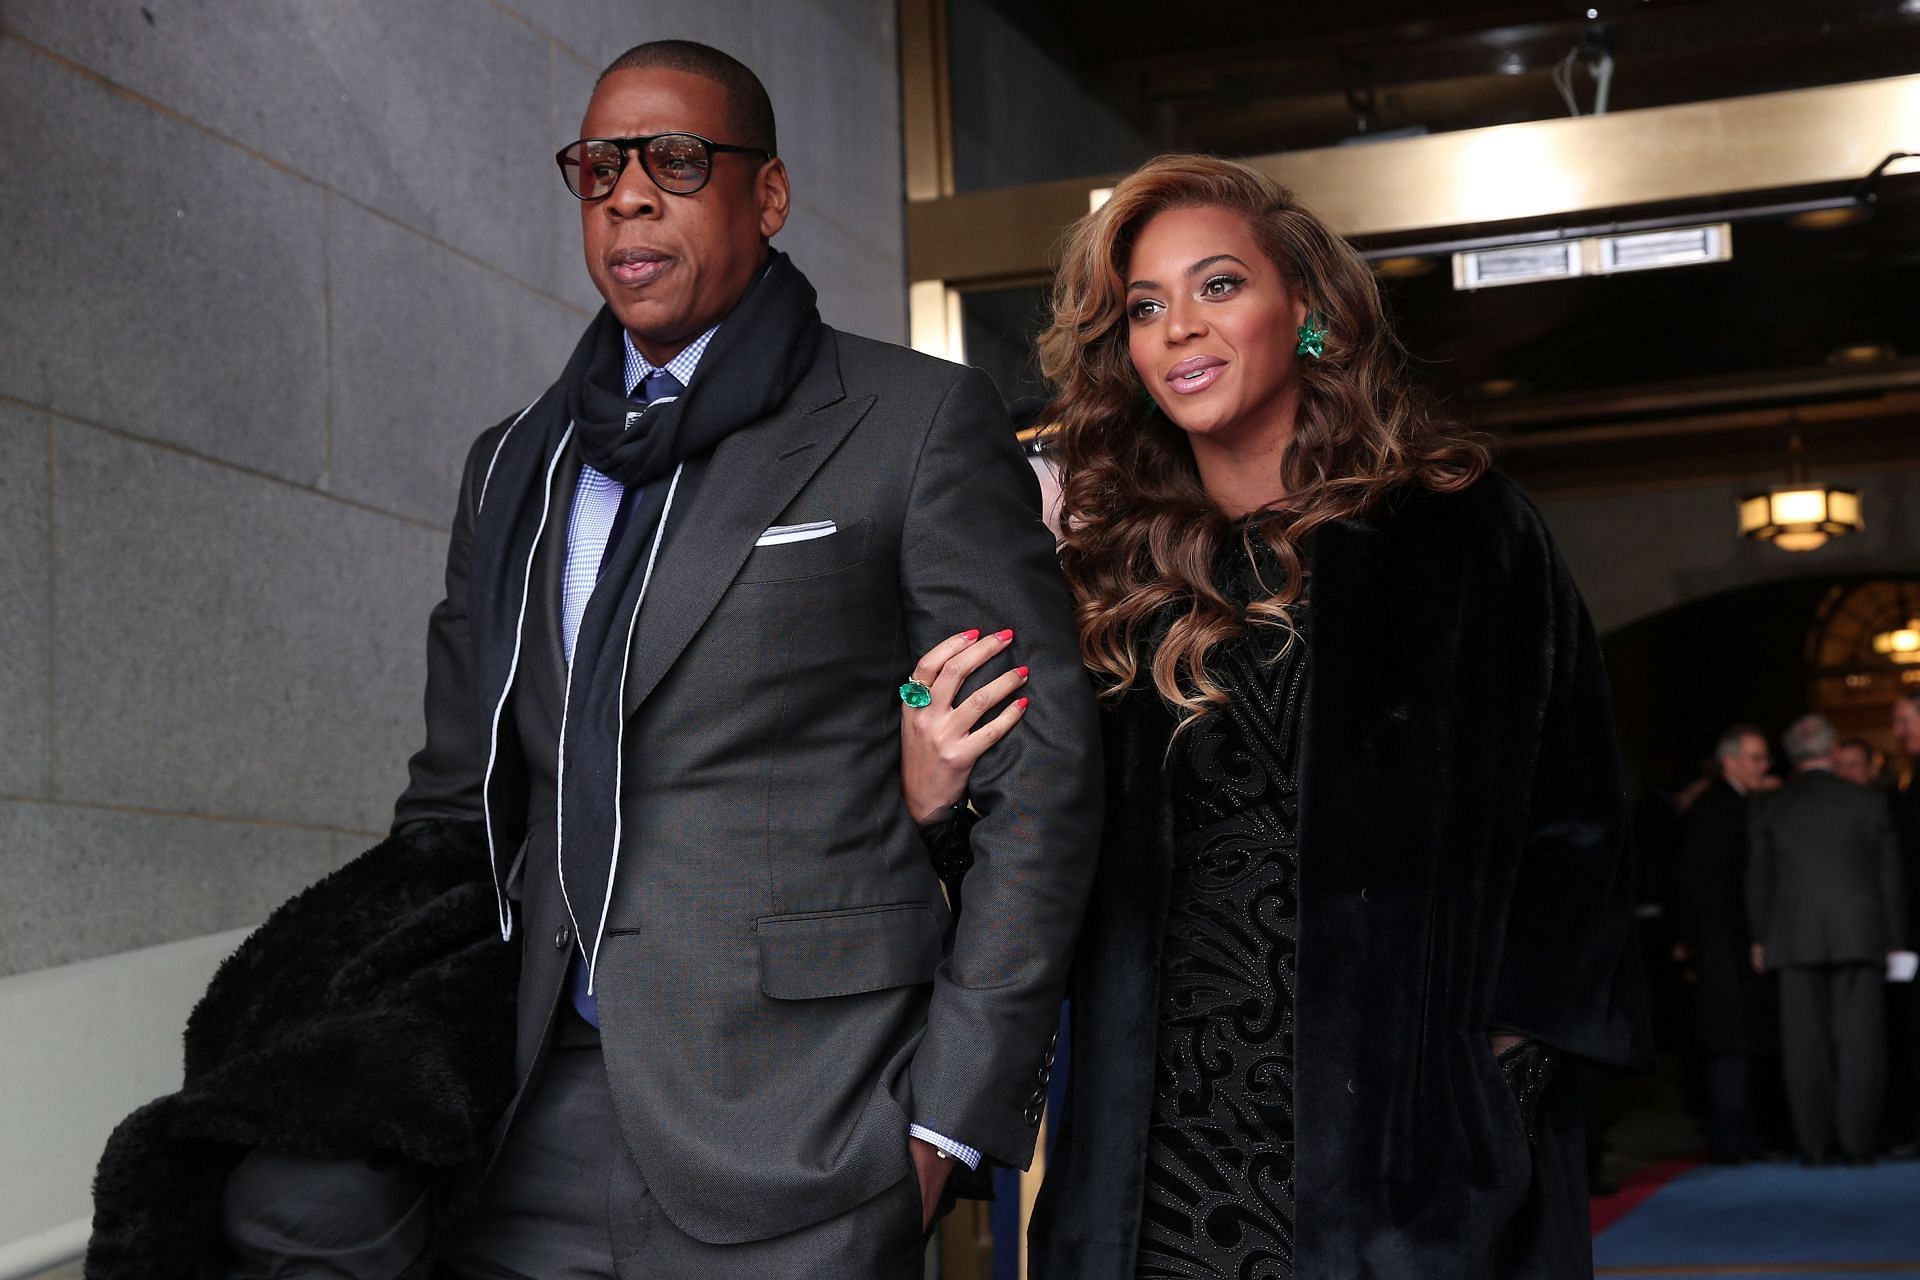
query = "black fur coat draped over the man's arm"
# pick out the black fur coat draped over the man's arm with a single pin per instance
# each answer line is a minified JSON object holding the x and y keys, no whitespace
{"x":372,"y":1016}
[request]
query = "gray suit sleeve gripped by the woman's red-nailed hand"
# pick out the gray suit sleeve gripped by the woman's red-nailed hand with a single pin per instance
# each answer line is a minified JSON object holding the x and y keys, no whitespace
{"x":976,"y":554}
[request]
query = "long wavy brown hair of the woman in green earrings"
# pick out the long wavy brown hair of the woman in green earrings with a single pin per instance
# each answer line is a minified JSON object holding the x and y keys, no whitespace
{"x":1140,"y":534}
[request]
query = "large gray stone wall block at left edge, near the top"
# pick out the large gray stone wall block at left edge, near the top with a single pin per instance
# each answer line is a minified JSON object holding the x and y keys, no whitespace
{"x":156,"y":279}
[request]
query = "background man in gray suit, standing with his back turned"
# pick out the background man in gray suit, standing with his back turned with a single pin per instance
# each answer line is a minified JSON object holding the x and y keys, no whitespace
{"x":1827,"y":903}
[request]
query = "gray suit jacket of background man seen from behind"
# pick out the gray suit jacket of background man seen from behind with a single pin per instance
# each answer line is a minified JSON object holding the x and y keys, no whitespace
{"x":1825,"y":874}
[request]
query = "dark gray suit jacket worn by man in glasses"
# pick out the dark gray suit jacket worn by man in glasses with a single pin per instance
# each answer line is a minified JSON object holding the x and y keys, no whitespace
{"x":777,"y":999}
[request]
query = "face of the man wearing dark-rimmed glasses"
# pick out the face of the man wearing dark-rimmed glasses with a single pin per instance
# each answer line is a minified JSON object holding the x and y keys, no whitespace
{"x":669,"y":266}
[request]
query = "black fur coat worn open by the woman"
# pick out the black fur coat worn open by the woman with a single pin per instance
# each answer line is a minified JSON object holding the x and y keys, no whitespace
{"x":1462,"y":870}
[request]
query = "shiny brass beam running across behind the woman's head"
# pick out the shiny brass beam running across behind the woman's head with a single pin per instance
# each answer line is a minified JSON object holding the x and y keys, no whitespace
{"x":1539,"y":170}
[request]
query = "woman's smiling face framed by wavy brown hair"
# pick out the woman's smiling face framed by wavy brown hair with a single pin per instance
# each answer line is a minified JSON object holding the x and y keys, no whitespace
{"x":1212,"y":325}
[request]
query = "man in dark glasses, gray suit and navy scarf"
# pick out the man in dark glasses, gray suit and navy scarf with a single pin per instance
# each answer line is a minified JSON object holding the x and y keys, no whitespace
{"x":683,"y":592}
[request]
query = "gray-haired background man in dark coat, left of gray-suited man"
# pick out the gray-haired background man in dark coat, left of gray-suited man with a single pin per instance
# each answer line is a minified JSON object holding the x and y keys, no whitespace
{"x":1733,"y":1005}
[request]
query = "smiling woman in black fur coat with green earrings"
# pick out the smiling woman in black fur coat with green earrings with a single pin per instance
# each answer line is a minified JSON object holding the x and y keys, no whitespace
{"x":1364,"y":874}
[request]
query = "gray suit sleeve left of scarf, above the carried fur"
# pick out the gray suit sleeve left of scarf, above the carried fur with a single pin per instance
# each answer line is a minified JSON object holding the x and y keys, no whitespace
{"x":446,"y":774}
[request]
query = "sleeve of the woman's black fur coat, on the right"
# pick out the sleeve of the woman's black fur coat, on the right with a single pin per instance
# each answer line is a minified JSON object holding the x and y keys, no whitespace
{"x":1570,"y":968}
